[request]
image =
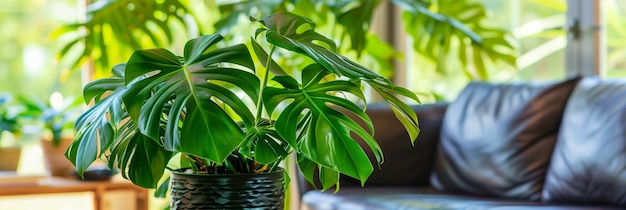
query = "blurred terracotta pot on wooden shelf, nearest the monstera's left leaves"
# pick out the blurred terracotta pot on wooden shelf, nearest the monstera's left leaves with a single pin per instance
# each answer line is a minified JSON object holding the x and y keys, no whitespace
{"x":56,"y":163}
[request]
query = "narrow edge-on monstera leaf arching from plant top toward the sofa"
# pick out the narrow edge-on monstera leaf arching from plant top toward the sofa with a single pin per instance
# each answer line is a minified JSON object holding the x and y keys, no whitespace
{"x":283,"y":30}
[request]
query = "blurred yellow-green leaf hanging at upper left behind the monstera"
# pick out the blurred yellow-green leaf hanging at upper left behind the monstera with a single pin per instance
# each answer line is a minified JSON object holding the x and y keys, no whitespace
{"x":116,"y":27}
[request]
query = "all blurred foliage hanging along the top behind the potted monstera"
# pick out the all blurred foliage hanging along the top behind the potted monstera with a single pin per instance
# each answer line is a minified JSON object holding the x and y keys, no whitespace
{"x":452,"y":34}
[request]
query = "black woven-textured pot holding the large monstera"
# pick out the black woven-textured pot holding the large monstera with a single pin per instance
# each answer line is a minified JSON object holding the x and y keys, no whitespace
{"x":227,"y":191}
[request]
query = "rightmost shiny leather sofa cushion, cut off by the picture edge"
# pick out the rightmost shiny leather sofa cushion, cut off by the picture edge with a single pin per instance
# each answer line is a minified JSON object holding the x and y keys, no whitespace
{"x":589,"y":160}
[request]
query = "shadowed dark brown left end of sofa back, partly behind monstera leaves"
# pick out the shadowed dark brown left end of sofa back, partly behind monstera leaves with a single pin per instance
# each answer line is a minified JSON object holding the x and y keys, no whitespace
{"x":405,"y":165}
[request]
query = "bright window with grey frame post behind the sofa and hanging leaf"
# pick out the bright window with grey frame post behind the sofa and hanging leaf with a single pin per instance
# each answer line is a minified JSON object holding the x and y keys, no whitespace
{"x":556,"y":39}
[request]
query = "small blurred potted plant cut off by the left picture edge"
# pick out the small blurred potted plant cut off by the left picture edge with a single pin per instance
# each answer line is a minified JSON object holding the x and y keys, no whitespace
{"x":10,"y":130}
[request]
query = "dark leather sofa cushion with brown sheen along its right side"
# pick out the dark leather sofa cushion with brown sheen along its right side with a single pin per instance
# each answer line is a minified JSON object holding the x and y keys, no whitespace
{"x":497,"y":139}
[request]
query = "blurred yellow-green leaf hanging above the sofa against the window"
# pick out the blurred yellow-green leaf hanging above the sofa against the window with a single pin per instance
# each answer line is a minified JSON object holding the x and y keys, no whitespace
{"x":454,"y":30}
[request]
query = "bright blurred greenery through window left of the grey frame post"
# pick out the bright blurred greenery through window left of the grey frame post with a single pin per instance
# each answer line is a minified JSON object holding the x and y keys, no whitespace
{"x":537,"y":28}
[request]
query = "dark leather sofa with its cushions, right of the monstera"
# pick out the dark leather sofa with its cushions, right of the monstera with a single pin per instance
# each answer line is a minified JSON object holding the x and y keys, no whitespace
{"x":553,"y":145}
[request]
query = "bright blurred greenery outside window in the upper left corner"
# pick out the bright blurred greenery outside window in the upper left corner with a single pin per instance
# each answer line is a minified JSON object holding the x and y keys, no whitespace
{"x":27,"y":52}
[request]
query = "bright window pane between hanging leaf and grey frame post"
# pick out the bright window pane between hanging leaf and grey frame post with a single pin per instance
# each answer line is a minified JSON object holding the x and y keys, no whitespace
{"x":538,"y":28}
